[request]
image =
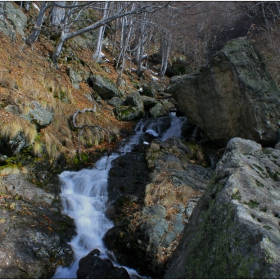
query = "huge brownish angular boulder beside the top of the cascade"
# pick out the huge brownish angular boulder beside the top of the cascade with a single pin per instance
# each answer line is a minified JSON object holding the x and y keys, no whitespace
{"x":232,"y":96}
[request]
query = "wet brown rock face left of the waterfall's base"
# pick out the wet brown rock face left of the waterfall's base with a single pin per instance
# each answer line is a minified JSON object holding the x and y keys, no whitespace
{"x":32,"y":230}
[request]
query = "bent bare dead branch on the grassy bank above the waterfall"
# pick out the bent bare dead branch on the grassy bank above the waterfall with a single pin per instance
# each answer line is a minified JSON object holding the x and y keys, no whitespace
{"x":82,"y":127}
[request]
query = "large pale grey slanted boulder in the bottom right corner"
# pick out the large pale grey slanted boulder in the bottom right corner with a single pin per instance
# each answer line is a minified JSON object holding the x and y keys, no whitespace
{"x":234,"y":229}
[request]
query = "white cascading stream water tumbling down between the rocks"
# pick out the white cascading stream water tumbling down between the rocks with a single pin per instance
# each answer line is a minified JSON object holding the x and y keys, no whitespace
{"x":84,"y":195}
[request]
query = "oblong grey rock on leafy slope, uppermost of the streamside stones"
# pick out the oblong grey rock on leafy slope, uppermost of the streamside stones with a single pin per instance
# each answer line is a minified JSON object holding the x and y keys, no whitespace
{"x":105,"y":88}
